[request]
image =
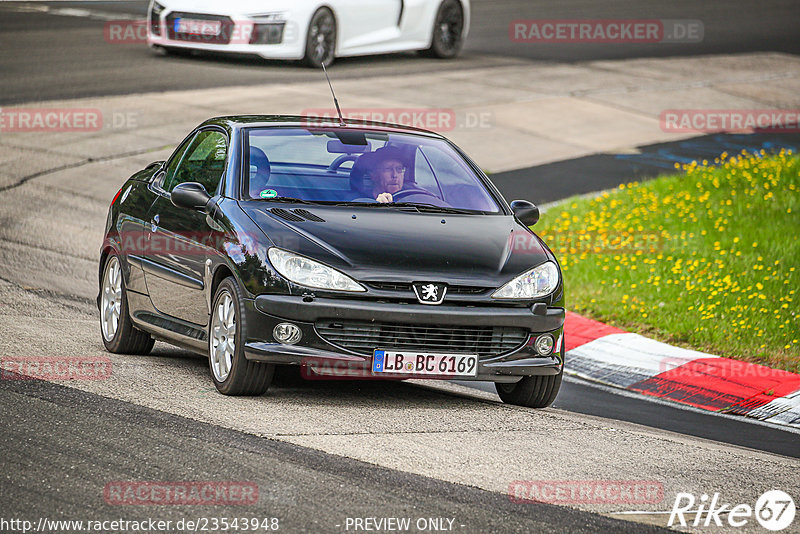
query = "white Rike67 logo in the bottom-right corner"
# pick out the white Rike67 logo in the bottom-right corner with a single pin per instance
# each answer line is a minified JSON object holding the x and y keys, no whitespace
{"x":774,"y":510}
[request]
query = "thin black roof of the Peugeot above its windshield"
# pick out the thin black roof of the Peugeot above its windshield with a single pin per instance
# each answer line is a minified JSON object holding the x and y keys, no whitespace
{"x":302,"y":121}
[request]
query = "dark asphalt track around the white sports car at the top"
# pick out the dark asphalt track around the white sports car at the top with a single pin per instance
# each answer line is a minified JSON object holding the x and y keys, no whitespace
{"x":50,"y":57}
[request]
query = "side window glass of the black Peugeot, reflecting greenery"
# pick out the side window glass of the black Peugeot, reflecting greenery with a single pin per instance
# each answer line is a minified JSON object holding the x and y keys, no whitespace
{"x":203,"y":161}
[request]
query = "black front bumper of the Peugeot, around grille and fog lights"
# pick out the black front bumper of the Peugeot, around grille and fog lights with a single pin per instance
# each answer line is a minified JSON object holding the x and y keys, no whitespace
{"x":325,"y":358}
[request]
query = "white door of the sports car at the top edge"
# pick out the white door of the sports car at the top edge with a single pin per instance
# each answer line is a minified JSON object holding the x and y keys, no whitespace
{"x":364,"y":25}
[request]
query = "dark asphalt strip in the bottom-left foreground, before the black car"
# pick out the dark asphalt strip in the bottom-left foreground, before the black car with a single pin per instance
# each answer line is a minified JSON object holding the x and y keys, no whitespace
{"x":102,"y":439}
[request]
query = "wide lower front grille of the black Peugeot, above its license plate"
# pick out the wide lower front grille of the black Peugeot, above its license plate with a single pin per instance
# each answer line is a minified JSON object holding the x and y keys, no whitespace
{"x":364,"y":337}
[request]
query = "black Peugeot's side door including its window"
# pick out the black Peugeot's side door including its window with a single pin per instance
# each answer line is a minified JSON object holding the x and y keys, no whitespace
{"x":179,"y":239}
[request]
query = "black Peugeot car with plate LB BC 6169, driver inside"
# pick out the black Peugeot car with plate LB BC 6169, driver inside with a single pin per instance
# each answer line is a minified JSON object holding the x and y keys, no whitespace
{"x":372,"y":248}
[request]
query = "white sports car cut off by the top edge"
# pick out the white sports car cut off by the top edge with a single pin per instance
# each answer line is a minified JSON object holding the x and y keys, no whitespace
{"x":315,"y":31}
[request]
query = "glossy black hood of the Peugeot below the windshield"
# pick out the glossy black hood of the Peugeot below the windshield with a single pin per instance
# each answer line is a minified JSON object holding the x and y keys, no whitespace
{"x":389,"y":244}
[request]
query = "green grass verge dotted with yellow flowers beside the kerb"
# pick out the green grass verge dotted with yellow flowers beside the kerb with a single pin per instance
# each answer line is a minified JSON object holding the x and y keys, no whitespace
{"x":707,"y":259}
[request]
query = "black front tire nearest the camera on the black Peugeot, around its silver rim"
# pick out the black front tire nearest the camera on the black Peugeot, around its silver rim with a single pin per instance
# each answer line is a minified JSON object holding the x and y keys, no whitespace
{"x":244,"y":377}
